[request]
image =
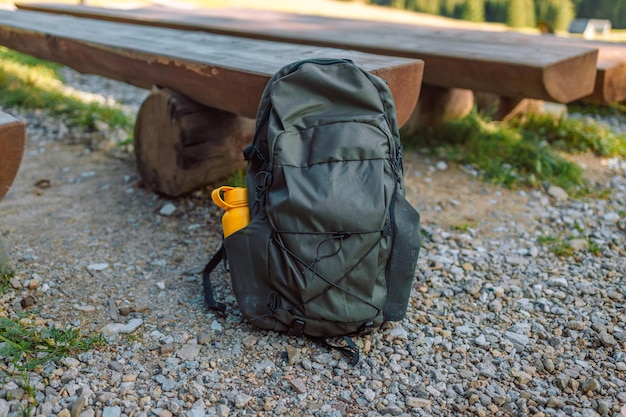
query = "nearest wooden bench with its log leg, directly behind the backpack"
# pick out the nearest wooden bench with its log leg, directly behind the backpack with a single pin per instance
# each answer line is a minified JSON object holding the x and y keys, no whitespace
{"x":192,"y":128}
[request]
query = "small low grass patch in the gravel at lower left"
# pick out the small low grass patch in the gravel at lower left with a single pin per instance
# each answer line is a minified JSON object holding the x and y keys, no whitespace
{"x":27,"y":346}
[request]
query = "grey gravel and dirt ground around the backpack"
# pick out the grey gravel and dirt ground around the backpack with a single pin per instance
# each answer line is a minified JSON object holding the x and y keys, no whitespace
{"x":497,"y":325}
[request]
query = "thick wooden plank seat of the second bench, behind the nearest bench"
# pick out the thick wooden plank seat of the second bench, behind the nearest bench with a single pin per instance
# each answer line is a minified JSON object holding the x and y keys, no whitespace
{"x":560,"y":73}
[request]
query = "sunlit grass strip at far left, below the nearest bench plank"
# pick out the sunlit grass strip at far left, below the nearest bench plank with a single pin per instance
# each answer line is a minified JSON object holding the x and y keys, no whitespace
{"x":29,"y":83}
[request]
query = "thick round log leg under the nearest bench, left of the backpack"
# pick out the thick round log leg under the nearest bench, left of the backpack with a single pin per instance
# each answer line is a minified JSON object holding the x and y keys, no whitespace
{"x":181,"y":145}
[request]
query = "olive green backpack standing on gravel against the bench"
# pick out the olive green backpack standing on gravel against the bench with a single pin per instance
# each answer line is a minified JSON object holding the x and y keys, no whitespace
{"x":332,"y":244}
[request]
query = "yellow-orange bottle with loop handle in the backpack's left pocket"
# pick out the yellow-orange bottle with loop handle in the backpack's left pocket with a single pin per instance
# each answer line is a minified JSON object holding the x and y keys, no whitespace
{"x":235,"y":202}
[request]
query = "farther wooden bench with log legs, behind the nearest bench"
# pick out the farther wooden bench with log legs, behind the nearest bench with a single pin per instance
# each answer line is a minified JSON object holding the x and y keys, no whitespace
{"x":502,"y":71}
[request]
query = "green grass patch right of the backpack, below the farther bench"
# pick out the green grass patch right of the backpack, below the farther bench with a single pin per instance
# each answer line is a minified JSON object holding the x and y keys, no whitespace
{"x":521,"y":153}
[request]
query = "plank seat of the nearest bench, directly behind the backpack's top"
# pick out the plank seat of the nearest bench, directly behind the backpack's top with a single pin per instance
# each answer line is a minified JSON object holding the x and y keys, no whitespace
{"x":222,"y":72}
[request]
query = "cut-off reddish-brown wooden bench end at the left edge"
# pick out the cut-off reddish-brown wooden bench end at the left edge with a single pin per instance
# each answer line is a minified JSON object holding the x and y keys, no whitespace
{"x":12,"y":143}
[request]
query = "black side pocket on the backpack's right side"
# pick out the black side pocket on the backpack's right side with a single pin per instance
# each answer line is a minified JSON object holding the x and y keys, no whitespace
{"x":403,"y":259}
